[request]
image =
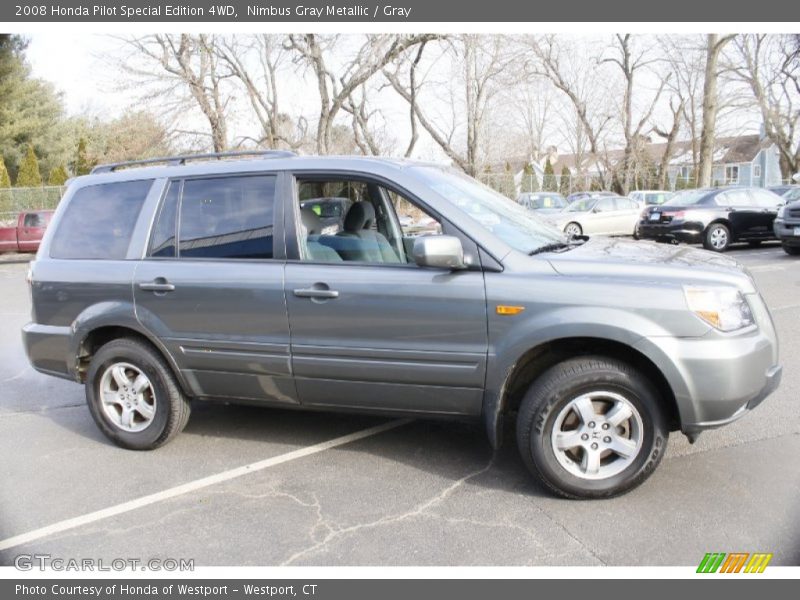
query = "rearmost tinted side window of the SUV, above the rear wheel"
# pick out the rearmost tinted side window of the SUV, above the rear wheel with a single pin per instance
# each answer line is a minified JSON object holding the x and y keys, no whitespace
{"x":99,"y":221}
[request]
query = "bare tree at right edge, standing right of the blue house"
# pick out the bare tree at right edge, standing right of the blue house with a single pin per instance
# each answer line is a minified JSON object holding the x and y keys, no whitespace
{"x":770,"y":67}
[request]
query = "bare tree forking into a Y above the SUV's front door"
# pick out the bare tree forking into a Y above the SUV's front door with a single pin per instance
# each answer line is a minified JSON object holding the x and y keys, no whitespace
{"x":336,"y":91}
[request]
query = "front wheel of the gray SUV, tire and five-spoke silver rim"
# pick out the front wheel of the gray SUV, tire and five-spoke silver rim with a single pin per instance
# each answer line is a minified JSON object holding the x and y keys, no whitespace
{"x":592,"y":427}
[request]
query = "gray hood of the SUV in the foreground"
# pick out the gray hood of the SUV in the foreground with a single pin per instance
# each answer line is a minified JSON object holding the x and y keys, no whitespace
{"x":617,"y":258}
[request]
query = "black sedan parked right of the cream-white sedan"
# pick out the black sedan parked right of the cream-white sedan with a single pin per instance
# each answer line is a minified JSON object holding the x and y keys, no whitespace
{"x":715,"y":217}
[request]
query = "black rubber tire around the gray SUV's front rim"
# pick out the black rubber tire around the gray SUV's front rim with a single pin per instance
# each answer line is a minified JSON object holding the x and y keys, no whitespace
{"x":549,"y":396}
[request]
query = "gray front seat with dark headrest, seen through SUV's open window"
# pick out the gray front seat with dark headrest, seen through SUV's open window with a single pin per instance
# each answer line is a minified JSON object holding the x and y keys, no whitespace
{"x":359,"y":242}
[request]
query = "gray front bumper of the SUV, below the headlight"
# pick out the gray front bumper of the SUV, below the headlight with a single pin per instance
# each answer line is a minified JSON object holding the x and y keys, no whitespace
{"x":718,"y":378}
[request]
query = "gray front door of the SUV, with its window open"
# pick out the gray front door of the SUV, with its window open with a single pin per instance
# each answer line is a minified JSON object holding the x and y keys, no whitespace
{"x":384,"y":336}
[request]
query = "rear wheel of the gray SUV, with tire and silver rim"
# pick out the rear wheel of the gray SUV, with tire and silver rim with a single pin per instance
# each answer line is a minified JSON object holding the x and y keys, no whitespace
{"x":134,"y":397}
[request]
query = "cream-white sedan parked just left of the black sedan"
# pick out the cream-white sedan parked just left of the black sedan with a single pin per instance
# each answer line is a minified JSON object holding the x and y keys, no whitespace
{"x":606,"y":215}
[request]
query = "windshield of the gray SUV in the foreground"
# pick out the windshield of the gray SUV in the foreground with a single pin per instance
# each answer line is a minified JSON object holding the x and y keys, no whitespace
{"x":516,"y":226}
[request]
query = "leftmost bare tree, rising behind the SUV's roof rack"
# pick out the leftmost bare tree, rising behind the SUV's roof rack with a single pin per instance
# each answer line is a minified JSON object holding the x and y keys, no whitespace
{"x":178,"y":63}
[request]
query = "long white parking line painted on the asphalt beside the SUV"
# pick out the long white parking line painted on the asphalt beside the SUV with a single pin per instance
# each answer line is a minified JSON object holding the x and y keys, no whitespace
{"x":197,"y":484}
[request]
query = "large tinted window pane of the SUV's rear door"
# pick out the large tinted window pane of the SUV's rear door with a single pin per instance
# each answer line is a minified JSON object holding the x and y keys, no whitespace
{"x":227,"y":217}
